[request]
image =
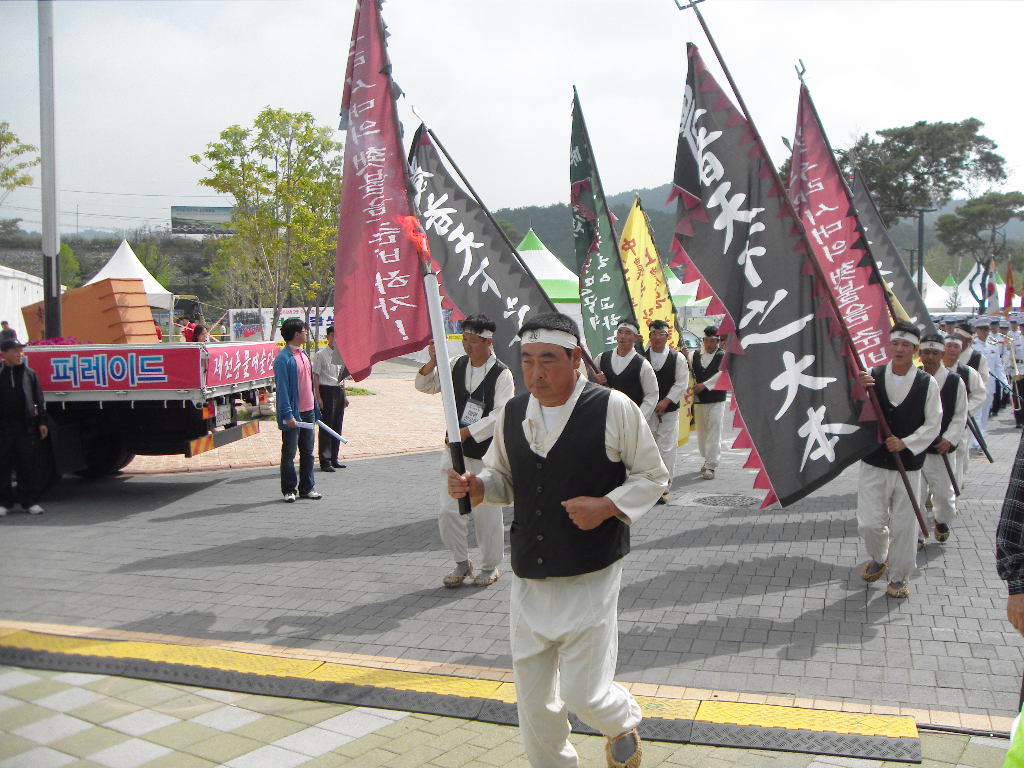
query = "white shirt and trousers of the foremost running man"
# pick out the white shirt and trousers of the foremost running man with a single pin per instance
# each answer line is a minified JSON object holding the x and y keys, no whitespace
{"x":565,"y":630}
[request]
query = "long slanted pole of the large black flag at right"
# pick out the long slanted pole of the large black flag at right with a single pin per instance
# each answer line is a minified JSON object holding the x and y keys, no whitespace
{"x":886,"y":432}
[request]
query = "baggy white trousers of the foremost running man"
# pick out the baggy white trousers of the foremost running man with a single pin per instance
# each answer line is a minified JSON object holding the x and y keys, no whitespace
{"x":565,"y":639}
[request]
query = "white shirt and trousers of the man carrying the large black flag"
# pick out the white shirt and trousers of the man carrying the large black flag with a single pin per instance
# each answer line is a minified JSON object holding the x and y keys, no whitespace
{"x":885,"y":519}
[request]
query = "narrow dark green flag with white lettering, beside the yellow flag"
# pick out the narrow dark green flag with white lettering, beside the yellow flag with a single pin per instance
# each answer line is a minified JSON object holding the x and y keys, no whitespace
{"x":605,"y":298}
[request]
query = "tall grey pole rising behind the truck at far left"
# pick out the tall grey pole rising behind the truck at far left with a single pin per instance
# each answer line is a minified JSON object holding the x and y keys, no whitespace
{"x":49,"y":177}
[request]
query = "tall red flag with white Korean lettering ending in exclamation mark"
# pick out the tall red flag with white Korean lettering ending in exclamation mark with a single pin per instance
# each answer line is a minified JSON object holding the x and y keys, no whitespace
{"x":380,"y":305}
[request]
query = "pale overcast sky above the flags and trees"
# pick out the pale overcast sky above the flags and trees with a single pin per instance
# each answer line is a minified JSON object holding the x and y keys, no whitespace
{"x":144,"y":84}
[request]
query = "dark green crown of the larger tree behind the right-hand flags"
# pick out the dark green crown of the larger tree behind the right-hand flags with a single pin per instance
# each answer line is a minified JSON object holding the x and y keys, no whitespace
{"x":924,"y":165}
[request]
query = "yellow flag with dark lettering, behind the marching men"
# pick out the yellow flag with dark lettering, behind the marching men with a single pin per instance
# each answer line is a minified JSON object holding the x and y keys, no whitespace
{"x":646,"y":276}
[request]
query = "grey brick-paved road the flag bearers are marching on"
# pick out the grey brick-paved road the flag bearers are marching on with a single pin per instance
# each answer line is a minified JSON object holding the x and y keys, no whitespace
{"x":716,"y":596}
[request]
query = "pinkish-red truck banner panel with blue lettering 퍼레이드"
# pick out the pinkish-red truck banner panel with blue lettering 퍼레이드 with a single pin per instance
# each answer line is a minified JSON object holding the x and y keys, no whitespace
{"x":111,"y":368}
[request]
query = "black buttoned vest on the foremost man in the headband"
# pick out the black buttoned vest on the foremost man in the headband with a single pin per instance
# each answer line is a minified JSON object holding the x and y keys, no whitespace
{"x":544,"y":541}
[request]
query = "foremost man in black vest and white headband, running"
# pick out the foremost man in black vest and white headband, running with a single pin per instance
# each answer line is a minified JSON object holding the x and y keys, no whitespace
{"x":581,"y":466}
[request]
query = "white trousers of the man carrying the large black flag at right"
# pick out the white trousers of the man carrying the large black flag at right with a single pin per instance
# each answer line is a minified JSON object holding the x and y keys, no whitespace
{"x":886,"y":521}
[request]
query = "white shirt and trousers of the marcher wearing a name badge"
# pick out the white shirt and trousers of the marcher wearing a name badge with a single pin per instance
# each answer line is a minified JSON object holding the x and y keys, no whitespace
{"x":488,"y":520}
